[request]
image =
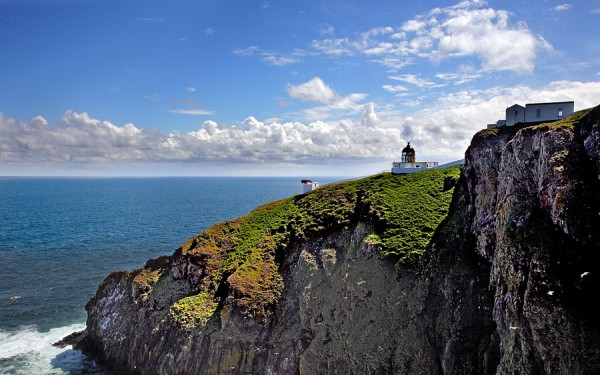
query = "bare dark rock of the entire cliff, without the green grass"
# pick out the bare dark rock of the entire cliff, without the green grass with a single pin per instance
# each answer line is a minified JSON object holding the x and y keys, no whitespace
{"x":508,"y":285}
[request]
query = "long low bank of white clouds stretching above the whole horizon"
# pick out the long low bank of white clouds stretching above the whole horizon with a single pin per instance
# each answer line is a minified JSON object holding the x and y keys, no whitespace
{"x":440,"y":132}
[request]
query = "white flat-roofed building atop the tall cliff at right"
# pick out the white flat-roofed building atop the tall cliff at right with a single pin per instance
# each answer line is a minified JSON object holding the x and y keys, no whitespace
{"x":535,"y":112}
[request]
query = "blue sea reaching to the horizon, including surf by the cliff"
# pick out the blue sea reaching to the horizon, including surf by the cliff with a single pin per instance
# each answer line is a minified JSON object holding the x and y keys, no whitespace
{"x":60,"y":237}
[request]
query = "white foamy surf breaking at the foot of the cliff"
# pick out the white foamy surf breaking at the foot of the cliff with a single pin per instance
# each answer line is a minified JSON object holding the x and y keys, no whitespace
{"x":28,"y":351}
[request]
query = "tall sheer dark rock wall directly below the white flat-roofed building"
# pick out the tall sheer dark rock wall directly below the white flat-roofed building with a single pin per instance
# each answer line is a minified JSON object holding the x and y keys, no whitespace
{"x":540,"y":236}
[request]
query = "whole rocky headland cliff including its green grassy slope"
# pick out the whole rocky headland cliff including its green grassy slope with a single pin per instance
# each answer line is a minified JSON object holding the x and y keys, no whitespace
{"x":339,"y":281}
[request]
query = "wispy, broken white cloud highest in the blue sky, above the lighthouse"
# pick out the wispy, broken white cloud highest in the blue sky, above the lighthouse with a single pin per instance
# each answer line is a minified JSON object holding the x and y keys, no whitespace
{"x":467,"y":29}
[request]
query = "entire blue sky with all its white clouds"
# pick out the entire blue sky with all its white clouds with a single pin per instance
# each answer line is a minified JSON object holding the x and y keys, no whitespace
{"x":276,"y":88}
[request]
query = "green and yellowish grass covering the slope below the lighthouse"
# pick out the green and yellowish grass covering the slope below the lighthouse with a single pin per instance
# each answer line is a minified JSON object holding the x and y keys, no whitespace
{"x":404,"y":210}
